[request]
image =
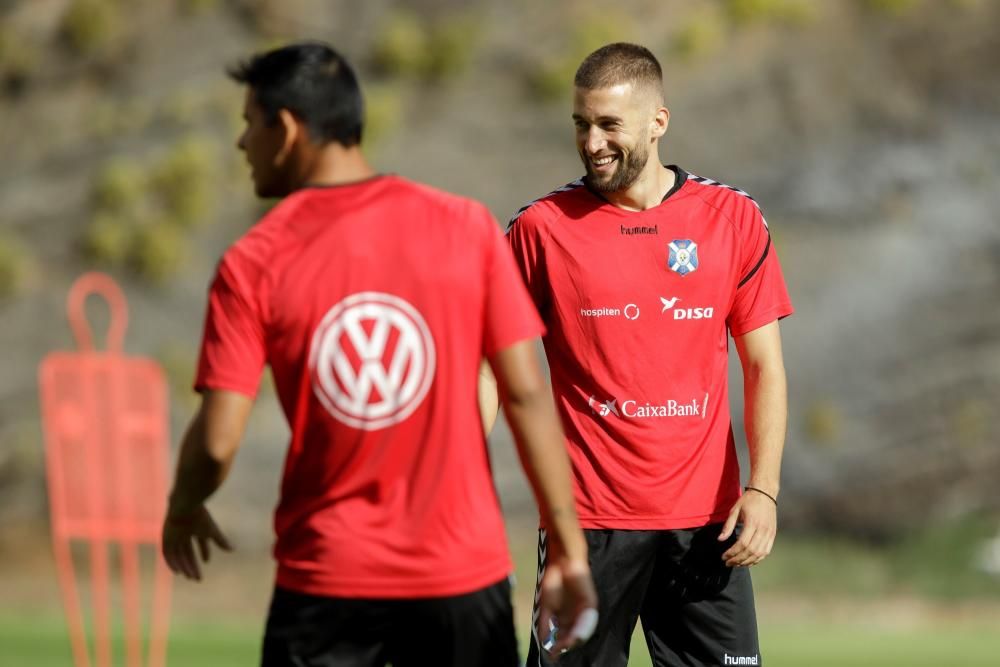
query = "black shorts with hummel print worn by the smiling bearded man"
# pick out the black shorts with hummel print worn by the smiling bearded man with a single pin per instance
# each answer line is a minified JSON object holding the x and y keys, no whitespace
{"x":694,"y":610}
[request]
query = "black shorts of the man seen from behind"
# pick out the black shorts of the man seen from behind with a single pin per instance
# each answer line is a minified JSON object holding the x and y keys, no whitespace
{"x":462,"y":630}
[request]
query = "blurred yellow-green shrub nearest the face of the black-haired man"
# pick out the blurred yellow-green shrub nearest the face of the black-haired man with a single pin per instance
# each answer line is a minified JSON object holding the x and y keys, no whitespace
{"x":183,"y":182}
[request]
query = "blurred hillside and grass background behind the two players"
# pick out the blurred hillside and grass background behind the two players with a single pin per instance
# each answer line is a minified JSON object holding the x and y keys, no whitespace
{"x":867,"y":129}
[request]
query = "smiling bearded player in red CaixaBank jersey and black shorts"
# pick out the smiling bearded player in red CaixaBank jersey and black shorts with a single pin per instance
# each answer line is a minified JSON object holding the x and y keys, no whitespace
{"x":642,"y":272}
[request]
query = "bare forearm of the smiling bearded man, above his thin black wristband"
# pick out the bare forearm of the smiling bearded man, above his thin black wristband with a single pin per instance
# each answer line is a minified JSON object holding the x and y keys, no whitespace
{"x":766,"y":415}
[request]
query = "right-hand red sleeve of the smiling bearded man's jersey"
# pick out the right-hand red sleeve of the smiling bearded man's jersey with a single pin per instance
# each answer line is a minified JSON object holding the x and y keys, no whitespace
{"x":761,"y":295}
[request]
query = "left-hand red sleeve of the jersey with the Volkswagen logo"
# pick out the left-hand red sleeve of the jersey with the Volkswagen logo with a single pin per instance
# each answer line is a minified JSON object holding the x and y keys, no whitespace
{"x":233,"y":351}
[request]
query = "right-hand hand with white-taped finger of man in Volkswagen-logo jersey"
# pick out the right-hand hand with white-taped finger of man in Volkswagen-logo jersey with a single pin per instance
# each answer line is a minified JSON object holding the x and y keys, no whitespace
{"x":567,"y":596}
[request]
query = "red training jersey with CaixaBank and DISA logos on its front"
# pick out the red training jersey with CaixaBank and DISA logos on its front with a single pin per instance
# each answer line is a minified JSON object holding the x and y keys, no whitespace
{"x":637,"y":306}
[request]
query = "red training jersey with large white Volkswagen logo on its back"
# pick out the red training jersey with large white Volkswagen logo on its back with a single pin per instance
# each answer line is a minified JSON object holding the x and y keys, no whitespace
{"x":374,"y":303}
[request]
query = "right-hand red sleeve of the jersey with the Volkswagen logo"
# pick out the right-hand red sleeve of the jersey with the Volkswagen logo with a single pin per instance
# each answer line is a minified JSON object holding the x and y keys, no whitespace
{"x":509,"y":315}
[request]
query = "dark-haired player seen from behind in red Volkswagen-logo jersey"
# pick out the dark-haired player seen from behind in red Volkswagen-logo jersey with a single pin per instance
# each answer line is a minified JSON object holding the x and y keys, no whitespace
{"x":373,"y":299}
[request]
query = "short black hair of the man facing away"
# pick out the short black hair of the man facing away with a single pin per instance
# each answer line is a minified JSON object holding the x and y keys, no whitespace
{"x":314,"y":82}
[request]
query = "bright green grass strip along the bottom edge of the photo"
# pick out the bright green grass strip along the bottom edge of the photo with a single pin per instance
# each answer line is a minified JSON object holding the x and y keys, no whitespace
{"x":41,"y":642}
